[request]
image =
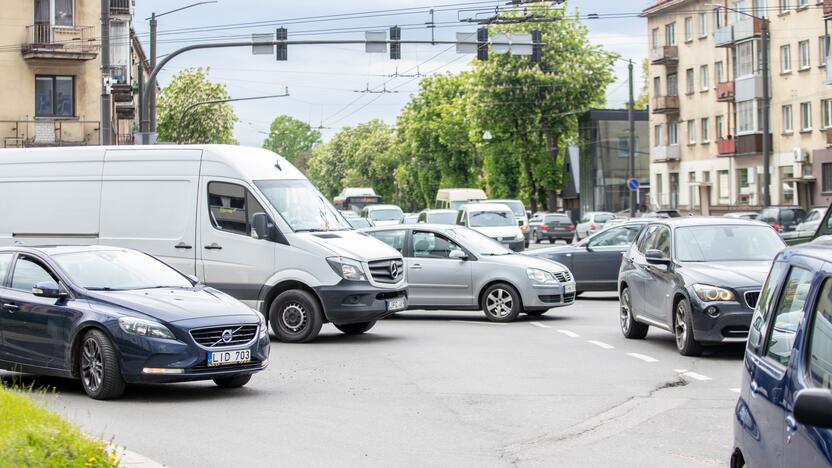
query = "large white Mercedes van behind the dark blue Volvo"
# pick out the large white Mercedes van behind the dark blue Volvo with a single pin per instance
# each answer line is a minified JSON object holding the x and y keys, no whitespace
{"x":243,"y":220}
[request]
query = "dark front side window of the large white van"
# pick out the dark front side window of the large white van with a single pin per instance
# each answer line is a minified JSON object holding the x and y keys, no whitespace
{"x":232,"y":208}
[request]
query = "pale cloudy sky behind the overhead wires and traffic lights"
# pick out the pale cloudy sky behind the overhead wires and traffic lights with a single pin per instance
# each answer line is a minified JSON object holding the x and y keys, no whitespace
{"x":325,"y":82}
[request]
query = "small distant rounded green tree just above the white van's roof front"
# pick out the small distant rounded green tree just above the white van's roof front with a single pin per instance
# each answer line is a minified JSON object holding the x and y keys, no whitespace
{"x":292,"y":139}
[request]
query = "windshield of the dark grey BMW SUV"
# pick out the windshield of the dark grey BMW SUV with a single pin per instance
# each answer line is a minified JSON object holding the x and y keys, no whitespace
{"x":727,"y":243}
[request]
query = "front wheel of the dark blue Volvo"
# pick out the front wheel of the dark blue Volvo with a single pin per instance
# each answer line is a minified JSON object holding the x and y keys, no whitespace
{"x":99,"y":368}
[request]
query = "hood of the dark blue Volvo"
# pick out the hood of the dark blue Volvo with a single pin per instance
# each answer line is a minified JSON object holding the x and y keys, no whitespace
{"x":175,"y":304}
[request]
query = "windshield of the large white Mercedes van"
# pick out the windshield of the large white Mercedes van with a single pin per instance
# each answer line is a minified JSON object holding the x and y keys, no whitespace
{"x":302,"y":206}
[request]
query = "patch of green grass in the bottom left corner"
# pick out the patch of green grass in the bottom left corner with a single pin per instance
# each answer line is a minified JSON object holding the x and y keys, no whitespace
{"x":31,"y":435}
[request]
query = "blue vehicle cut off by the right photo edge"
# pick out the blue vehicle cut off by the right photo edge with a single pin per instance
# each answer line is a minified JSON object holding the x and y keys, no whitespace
{"x":784,"y":415}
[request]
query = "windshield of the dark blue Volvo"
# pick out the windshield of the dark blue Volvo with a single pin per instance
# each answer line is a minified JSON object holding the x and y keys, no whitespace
{"x":118,"y":270}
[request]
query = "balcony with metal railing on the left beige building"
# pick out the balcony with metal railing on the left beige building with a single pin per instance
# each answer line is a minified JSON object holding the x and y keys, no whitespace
{"x":44,"y":41}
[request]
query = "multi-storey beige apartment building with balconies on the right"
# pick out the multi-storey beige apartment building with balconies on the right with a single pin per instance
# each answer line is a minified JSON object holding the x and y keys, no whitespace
{"x":706,"y":115}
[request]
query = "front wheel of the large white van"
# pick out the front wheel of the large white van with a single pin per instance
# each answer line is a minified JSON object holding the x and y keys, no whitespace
{"x":295,"y":316}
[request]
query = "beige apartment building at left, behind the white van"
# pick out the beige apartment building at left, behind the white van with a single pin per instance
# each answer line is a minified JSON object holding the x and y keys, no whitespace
{"x":50,"y":57}
